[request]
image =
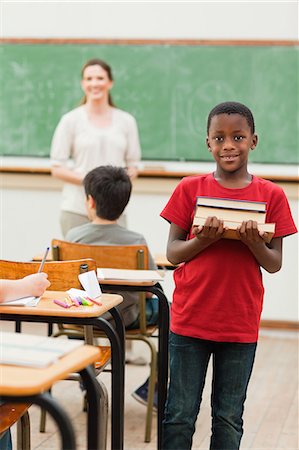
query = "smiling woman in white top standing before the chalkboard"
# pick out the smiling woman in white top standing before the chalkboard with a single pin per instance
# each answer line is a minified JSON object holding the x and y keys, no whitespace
{"x":95,"y":133}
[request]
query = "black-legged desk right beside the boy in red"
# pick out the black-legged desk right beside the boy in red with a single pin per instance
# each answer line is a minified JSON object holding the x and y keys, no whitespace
{"x":163,"y":326}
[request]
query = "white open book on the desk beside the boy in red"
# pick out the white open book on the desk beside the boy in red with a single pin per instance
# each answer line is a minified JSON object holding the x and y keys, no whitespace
{"x":129,"y":275}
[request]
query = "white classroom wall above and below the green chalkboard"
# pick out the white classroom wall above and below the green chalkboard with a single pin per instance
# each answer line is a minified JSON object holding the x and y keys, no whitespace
{"x":30,"y":215}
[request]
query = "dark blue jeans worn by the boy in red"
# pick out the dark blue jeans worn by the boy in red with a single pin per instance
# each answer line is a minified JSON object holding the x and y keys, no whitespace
{"x":232,"y":367}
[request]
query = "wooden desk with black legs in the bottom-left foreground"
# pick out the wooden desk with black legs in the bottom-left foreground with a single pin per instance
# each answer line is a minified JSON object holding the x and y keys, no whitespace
{"x":29,"y":384}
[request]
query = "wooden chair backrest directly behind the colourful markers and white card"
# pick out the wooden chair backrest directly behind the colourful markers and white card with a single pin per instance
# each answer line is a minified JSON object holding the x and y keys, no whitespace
{"x":63,"y":275}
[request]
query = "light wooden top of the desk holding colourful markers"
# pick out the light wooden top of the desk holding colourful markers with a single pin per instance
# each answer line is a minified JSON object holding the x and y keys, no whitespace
{"x":46,"y":306}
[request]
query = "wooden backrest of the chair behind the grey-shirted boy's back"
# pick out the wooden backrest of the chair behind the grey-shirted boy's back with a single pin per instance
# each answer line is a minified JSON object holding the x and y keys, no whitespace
{"x":114,"y":256}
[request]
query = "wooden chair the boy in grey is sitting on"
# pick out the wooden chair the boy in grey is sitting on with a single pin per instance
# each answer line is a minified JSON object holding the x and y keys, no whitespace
{"x":118,"y":257}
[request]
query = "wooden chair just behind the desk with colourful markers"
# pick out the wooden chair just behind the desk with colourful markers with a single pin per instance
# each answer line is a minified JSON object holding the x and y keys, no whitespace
{"x":63,"y":275}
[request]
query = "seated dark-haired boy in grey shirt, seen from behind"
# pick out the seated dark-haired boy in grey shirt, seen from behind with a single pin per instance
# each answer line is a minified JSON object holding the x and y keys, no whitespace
{"x":108,"y":190}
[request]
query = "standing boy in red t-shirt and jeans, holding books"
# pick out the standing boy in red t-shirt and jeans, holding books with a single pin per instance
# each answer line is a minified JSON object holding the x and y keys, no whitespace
{"x":218,"y":296}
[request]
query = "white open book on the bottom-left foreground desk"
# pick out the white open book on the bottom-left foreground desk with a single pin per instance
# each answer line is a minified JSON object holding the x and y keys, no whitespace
{"x":30,"y":350}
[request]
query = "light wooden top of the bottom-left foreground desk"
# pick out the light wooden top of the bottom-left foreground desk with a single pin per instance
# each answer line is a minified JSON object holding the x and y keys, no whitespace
{"x":19,"y":381}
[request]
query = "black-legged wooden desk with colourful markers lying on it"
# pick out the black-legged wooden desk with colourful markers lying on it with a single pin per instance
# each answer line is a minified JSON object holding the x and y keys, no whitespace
{"x":48,"y":312}
